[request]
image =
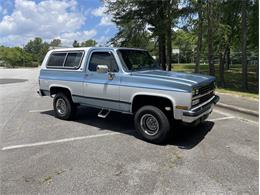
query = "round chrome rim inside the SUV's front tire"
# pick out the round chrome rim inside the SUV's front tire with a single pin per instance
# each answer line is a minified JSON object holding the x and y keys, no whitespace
{"x":149,"y":124}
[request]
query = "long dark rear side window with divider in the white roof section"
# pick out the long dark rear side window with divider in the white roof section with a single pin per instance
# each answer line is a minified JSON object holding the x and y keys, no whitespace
{"x":66,"y":60}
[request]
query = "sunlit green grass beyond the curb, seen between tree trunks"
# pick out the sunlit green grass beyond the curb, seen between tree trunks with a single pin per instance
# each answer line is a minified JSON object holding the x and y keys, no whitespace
{"x":233,"y":78}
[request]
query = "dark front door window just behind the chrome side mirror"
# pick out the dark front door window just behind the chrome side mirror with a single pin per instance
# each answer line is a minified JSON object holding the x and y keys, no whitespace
{"x":102,"y":58}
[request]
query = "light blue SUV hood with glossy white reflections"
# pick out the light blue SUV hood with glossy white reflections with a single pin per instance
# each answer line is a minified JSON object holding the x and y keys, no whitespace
{"x":178,"y":77}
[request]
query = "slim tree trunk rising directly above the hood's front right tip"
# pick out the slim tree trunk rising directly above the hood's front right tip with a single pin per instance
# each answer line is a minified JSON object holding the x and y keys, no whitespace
{"x":210,"y":39}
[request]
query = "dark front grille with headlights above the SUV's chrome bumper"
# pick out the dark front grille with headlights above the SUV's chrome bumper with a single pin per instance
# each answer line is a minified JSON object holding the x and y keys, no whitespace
{"x":208,"y":90}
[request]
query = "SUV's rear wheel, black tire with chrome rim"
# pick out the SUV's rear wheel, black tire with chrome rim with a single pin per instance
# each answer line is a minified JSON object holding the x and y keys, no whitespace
{"x":68,"y":110}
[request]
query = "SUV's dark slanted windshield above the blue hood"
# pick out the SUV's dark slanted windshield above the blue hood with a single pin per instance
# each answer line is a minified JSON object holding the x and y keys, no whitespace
{"x":137,"y":60}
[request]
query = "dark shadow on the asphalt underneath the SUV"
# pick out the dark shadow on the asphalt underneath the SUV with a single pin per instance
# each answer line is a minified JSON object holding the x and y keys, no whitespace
{"x":184,"y":137}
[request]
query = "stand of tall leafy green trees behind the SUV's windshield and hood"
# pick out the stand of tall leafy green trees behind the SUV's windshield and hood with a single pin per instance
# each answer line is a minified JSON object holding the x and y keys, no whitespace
{"x":210,"y":31}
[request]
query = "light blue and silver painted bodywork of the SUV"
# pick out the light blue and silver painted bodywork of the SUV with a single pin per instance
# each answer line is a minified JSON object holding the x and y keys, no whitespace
{"x":96,"y":90}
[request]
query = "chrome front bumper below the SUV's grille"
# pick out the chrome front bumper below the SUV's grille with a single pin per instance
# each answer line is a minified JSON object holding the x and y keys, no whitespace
{"x":199,"y":111}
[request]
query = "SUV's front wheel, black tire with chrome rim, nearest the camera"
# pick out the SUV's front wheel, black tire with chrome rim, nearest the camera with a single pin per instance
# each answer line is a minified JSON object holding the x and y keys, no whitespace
{"x":156,"y":119}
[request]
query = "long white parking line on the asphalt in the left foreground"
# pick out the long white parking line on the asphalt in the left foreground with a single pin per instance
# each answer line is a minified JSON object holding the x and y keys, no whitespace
{"x":58,"y":141}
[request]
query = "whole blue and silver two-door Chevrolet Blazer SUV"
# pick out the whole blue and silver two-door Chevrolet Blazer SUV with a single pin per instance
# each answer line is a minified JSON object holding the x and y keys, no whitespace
{"x":129,"y":81}
